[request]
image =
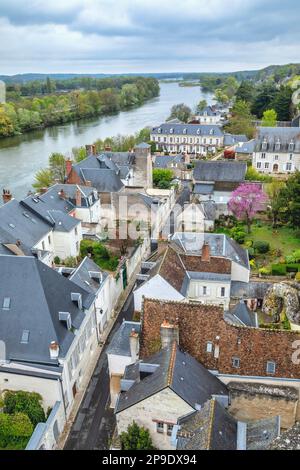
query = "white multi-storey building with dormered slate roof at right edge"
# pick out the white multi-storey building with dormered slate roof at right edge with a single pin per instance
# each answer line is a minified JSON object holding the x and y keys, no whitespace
{"x":277,"y":150}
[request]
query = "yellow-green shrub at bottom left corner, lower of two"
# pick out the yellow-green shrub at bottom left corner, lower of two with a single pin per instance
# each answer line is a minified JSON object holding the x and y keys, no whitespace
{"x":15,"y":430}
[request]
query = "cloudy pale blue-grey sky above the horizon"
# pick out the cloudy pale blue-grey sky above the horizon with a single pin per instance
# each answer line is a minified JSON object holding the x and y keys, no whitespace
{"x":116,"y":36}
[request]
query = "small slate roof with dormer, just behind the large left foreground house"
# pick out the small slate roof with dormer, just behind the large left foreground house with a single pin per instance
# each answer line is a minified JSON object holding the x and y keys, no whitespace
{"x":82,"y":277}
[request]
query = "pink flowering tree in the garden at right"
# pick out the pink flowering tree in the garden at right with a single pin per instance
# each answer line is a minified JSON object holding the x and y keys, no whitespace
{"x":246,"y":201}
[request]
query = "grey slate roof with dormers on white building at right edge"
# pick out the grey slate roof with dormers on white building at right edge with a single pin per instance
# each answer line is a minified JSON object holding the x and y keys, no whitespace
{"x":285,"y":135}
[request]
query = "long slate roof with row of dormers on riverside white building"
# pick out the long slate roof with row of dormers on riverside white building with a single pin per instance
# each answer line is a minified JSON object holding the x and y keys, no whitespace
{"x":191,"y":129}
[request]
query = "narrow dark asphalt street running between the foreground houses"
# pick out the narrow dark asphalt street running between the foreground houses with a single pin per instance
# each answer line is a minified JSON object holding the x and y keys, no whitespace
{"x":95,"y":421}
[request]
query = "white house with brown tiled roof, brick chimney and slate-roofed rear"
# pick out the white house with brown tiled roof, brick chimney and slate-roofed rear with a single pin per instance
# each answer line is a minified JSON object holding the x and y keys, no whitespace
{"x":195,"y":267}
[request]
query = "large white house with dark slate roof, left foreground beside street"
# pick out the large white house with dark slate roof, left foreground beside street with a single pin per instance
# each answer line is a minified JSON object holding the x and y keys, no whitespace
{"x":48,"y":332}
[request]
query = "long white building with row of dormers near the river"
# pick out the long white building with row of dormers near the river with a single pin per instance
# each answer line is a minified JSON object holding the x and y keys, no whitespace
{"x":187,"y":138}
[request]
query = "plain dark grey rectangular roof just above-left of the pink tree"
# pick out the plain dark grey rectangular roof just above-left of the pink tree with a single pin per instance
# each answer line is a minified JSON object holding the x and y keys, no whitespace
{"x":220,"y":171}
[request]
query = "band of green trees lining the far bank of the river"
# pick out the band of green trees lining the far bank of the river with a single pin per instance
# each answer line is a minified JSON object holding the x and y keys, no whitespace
{"x":26,"y":114}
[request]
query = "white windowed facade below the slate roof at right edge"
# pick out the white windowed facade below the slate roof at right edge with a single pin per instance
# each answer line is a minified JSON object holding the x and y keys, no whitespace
{"x":272,"y":162}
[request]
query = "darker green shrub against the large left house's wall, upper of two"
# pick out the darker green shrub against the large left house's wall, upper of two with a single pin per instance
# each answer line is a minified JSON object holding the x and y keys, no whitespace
{"x":25,"y":402}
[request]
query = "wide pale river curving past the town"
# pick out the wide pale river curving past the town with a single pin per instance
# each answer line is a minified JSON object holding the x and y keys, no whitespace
{"x":22,"y":156}
